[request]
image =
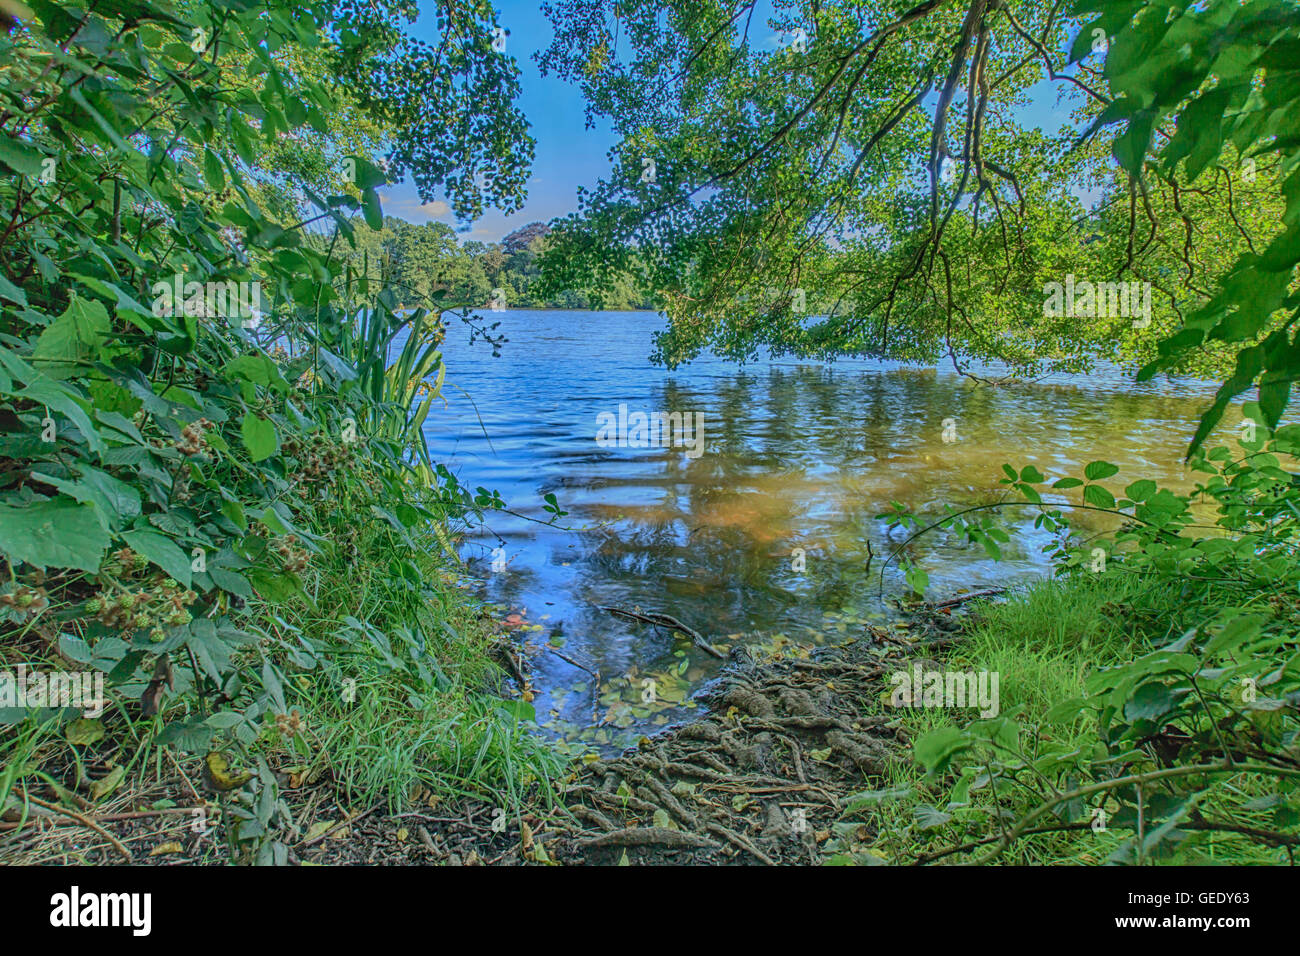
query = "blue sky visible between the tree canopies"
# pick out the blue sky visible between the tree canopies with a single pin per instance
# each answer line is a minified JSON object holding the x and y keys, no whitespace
{"x":570,"y":155}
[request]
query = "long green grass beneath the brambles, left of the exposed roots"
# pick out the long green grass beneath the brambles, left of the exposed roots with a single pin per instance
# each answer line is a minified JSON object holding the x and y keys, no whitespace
{"x":444,"y":729}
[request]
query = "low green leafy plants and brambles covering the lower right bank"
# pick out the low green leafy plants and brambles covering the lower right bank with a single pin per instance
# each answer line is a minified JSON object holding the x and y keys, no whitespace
{"x":1197,"y":729}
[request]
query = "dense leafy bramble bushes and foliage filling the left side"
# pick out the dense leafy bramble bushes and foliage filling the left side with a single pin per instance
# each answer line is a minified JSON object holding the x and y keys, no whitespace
{"x":203,"y":435}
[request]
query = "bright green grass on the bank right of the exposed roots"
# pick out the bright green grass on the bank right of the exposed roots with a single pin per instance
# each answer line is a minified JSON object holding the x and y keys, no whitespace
{"x":1043,"y":642}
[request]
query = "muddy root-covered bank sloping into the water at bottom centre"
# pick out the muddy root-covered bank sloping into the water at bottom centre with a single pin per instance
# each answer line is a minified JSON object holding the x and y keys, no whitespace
{"x":761,"y":778}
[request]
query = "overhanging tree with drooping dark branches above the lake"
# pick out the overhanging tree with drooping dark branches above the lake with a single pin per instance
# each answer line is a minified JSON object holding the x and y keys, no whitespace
{"x":859,"y":183}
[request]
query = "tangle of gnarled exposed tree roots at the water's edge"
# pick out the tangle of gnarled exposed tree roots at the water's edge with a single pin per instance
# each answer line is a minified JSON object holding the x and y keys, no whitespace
{"x":766,"y":771}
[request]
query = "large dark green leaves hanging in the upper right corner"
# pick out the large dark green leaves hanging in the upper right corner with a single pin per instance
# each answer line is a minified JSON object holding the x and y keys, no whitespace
{"x":1228,"y":72}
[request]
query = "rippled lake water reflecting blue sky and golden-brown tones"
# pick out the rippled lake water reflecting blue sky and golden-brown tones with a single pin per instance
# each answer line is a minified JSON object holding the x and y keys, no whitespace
{"x":795,"y":457}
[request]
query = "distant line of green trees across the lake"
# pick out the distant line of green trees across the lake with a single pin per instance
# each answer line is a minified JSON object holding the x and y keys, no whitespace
{"x":423,"y":259}
